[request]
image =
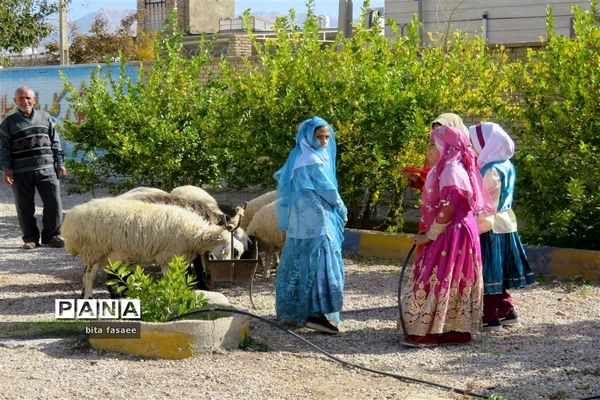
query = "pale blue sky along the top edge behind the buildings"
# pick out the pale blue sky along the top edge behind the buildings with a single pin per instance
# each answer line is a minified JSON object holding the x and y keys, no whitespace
{"x":79,"y":8}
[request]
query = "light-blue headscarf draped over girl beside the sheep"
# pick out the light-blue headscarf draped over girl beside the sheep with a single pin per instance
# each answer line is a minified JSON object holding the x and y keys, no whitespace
{"x":308,"y":151}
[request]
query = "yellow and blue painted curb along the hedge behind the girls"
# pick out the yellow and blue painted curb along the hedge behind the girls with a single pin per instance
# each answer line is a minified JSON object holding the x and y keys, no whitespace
{"x":545,"y":261}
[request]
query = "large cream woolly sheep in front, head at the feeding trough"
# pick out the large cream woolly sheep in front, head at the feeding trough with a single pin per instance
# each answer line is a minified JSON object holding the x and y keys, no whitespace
{"x":136,"y":232}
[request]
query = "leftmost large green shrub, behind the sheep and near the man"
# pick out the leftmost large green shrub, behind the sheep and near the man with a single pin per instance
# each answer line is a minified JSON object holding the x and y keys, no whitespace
{"x":147,"y":132}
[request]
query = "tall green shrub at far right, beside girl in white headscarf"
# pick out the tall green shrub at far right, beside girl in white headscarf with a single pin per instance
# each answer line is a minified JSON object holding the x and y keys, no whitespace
{"x":559,"y":159}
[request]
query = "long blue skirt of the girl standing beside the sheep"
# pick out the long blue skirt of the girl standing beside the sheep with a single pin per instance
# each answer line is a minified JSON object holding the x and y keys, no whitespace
{"x":310,"y":280}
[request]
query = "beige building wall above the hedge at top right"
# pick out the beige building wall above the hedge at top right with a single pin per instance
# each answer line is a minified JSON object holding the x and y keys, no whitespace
{"x":498,"y":21}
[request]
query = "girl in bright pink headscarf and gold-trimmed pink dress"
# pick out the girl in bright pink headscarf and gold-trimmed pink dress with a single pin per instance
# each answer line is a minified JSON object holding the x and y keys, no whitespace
{"x":441,"y":302}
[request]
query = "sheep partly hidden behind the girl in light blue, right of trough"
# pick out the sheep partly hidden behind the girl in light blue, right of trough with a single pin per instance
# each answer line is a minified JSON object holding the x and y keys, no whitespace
{"x":265,"y":228}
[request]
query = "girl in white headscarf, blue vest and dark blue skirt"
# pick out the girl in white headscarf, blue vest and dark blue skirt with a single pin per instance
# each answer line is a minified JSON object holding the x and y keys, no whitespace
{"x":505,"y":264}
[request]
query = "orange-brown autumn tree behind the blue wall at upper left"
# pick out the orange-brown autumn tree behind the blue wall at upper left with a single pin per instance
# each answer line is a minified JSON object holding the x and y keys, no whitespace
{"x":101,"y":45}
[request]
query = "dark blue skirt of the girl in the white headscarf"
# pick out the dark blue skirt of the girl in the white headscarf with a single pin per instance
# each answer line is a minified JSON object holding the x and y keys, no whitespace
{"x":505,"y":264}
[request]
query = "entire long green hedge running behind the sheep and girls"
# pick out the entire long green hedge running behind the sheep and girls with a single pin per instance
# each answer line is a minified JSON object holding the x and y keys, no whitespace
{"x":379,"y":94}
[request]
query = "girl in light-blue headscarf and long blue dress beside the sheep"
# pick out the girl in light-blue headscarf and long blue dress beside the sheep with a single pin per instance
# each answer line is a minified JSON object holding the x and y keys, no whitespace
{"x":310,"y":277}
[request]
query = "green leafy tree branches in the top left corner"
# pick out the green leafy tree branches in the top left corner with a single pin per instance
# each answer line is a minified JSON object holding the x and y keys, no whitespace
{"x":23,"y":23}
